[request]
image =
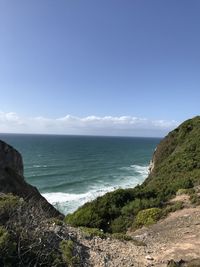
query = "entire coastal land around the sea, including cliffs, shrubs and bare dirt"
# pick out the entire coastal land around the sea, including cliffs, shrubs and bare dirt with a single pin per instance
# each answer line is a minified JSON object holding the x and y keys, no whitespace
{"x":153,"y":224}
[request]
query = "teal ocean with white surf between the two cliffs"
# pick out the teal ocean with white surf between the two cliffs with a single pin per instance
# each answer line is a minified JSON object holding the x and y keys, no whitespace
{"x":71,"y":170}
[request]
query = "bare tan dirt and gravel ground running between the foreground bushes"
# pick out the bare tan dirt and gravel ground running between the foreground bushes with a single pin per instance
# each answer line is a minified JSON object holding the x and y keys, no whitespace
{"x":175,"y":237}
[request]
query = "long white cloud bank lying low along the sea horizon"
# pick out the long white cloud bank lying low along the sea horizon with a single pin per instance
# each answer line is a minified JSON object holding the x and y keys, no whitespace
{"x":10,"y":122}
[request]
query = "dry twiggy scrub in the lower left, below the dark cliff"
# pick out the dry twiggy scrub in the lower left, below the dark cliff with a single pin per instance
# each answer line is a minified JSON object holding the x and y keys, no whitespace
{"x":28,"y":238}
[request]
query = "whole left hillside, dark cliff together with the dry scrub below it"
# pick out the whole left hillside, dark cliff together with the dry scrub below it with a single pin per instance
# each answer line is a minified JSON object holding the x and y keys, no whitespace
{"x":32,"y":232}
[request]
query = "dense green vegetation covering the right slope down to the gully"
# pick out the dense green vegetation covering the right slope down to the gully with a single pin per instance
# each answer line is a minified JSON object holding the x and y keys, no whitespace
{"x":177,"y":166}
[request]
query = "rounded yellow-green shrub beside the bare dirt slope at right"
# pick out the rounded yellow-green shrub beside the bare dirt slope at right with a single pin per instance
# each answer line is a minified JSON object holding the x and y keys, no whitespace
{"x":147,"y":217}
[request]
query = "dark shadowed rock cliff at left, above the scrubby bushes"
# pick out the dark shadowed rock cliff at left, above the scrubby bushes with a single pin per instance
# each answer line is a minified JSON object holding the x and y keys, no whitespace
{"x":12,"y":179}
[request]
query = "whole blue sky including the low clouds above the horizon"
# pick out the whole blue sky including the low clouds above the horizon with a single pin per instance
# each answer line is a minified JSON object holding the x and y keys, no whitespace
{"x":102,"y":67}
